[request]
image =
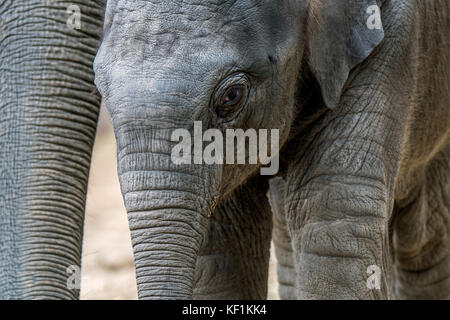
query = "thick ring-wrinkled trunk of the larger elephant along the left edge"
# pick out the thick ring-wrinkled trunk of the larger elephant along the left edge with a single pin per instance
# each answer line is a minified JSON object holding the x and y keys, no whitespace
{"x":48,"y":119}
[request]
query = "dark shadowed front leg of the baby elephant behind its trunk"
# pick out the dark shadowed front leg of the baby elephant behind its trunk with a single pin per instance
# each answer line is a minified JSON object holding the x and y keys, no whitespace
{"x":234,"y":257}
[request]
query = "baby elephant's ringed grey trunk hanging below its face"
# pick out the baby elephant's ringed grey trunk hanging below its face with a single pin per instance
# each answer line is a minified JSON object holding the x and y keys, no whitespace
{"x":167,"y":207}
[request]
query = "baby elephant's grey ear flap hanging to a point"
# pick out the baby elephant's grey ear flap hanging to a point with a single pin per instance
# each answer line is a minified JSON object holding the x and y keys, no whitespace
{"x":342,"y":34}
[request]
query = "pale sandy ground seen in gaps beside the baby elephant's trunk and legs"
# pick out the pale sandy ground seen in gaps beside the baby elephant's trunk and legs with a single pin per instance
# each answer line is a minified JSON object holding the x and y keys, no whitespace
{"x":107,"y":260}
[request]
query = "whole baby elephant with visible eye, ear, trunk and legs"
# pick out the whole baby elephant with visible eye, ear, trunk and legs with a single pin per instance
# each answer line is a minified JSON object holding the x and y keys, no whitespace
{"x":359,"y":93}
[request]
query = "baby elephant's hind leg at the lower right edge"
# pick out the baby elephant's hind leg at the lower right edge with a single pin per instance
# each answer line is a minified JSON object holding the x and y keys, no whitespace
{"x":422,"y":232}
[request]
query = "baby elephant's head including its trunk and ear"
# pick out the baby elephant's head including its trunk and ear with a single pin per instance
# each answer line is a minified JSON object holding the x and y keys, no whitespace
{"x":163,"y":65}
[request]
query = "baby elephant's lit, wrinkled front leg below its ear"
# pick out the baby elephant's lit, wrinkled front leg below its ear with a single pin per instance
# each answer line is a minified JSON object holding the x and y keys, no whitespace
{"x":340,"y":193}
